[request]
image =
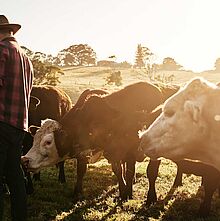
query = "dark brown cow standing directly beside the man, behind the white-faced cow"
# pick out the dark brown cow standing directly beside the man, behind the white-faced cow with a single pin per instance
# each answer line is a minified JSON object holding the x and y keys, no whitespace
{"x":46,"y":102}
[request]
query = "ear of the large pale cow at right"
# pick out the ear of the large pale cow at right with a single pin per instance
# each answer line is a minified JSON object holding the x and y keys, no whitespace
{"x":194,"y":109}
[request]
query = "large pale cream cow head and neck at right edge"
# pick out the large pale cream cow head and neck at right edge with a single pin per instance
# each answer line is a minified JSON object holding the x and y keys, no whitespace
{"x":188,"y":127}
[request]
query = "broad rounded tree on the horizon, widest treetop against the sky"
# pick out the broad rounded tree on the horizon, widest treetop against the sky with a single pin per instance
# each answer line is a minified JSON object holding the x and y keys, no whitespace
{"x":77,"y":55}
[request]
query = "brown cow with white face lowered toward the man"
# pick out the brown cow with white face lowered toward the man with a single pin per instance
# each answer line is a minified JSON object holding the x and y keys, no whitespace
{"x":98,"y":126}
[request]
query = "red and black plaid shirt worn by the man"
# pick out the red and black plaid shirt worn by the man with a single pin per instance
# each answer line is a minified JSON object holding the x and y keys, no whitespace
{"x":16,"y":76}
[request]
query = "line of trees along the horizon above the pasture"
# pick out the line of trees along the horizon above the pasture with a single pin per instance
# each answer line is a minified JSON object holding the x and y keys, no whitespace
{"x":47,"y":67}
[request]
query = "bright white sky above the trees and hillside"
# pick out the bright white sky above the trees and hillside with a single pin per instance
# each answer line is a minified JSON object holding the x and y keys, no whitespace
{"x":186,"y":30}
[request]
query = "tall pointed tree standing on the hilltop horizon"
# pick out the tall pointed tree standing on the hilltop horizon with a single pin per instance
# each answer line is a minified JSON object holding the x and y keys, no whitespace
{"x":142,"y":56}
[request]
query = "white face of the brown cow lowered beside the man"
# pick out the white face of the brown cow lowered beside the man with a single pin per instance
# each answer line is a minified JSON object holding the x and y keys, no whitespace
{"x":44,"y":151}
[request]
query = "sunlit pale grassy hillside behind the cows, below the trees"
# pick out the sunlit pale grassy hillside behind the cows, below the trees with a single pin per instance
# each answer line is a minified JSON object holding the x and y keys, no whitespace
{"x":77,"y":79}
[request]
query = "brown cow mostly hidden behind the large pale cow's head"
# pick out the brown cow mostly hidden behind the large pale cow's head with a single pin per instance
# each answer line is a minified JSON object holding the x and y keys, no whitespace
{"x":210,"y":175}
